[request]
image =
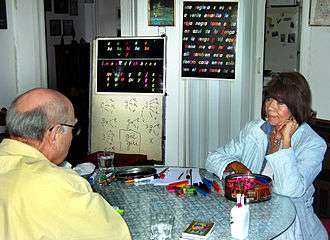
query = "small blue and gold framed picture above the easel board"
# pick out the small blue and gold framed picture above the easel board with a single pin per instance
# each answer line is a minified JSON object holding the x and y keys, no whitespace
{"x":161,"y":12}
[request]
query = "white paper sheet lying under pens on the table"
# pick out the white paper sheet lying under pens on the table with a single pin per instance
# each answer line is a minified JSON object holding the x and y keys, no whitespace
{"x":172,"y":175}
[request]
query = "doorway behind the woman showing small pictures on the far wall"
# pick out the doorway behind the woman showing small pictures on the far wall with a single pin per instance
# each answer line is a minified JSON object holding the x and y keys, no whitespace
{"x":282,"y":37}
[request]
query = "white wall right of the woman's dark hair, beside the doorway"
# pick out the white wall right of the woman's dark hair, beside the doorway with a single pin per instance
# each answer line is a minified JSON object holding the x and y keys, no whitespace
{"x":314,"y":62}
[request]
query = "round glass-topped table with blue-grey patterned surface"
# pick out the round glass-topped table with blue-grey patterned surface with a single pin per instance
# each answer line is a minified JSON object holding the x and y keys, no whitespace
{"x":139,"y":202}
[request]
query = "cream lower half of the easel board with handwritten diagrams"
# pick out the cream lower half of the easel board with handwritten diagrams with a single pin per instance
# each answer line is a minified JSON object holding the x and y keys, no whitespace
{"x":128,"y":124}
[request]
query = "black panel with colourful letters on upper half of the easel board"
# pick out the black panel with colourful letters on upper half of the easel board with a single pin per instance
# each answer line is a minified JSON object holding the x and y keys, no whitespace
{"x":130,"y":65}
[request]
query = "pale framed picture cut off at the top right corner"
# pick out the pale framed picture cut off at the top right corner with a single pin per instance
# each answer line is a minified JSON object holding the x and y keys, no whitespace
{"x":319,"y":13}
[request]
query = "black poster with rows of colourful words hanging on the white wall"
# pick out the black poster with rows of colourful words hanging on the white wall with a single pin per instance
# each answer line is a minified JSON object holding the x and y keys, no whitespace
{"x":209,"y":39}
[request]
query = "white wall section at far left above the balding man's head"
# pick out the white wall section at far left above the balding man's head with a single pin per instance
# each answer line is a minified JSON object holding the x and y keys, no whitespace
{"x":23,"y":55}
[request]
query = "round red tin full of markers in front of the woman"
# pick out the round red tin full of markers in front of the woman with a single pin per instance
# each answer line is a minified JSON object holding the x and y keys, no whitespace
{"x":255,"y":187}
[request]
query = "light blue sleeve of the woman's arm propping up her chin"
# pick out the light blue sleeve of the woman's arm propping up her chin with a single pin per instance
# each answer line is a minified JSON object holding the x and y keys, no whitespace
{"x":296,"y":168}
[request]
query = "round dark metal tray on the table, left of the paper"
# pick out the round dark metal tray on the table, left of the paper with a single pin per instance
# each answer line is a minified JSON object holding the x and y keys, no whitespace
{"x":135,"y":172}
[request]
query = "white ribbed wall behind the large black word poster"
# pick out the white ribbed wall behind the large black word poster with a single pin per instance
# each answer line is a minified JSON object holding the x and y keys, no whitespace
{"x":203,"y":114}
